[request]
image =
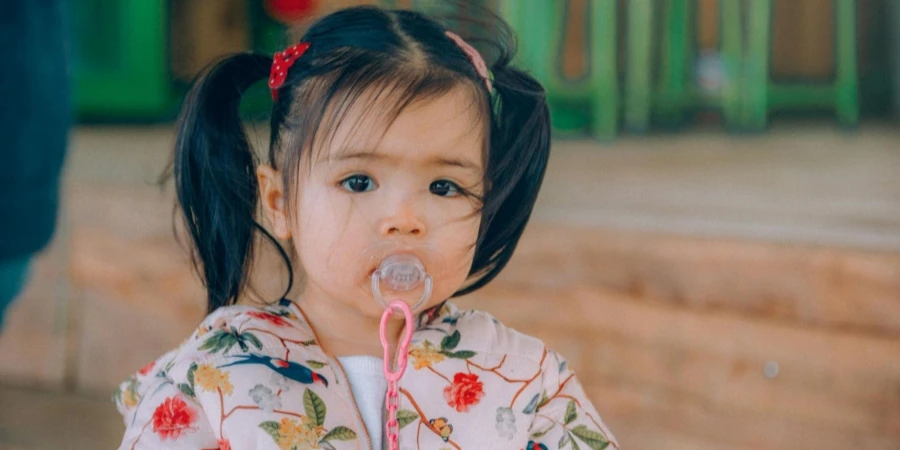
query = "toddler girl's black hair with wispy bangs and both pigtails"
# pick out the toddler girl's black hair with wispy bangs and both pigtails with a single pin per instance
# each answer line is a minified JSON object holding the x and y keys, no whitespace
{"x":402,"y":53}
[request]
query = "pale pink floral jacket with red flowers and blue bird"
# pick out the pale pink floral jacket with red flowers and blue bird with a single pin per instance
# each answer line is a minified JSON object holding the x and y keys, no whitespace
{"x":255,"y":378}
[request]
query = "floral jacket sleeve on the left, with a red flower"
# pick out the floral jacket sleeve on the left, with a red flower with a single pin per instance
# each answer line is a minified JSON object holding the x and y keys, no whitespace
{"x":158,"y":415}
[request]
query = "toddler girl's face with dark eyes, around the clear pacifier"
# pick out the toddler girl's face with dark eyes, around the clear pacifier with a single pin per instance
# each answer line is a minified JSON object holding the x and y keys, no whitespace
{"x":363,"y":199}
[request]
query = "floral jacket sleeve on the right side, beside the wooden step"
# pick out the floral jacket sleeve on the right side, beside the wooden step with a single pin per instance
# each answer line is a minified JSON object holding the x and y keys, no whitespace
{"x":565,"y":416}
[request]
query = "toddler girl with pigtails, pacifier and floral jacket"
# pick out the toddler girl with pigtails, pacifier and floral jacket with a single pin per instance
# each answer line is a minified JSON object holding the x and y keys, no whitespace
{"x":400,"y":164}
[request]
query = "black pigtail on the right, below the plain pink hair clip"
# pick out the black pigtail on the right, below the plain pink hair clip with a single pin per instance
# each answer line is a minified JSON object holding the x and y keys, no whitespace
{"x":520,"y":148}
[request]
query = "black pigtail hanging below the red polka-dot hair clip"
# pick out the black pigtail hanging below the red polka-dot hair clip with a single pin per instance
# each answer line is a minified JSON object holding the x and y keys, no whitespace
{"x":215,"y":179}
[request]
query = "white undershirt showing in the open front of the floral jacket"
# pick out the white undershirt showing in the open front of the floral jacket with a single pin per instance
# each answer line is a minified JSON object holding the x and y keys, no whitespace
{"x":366,"y":376}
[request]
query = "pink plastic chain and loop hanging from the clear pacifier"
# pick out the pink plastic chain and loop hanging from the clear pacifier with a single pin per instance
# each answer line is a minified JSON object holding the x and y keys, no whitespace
{"x":392,"y":398}
